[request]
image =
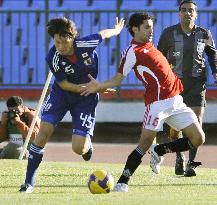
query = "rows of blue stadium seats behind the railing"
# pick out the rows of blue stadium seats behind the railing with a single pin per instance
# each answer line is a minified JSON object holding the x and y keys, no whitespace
{"x":23,"y":35}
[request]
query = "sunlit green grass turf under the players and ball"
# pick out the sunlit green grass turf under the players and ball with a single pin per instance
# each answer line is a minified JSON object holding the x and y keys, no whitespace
{"x":66,"y":183}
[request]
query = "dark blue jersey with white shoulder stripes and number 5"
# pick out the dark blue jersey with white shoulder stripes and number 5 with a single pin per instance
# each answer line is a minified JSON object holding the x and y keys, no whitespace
{"x":86,"y":61}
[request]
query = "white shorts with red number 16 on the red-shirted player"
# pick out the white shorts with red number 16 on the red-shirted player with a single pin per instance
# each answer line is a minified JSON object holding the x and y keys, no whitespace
{"x":171,"y":111}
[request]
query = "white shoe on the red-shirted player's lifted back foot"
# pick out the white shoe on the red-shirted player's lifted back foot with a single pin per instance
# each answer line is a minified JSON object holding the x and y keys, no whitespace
{"x":156,"y":160}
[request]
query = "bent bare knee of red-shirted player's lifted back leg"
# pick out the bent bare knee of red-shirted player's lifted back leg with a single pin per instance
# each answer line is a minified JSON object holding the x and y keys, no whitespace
{"x":195,"y":133}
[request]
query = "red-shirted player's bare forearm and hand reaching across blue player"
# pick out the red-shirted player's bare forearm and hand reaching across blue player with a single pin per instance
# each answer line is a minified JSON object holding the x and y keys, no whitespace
{"x":93,"y":86}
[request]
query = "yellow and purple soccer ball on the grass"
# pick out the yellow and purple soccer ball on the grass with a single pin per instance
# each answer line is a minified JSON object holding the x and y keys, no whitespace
{"x":100,"y":182}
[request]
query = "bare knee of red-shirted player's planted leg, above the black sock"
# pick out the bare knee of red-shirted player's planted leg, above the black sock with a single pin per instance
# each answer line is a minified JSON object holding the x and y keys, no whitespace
{"x":146,"y":139}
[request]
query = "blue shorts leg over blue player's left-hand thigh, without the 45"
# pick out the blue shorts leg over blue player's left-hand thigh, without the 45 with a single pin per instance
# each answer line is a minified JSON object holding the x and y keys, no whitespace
{"x":54,"y":108}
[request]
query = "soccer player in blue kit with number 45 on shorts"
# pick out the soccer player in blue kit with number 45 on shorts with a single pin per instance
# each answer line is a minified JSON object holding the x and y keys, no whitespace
{"x":71,"y":59}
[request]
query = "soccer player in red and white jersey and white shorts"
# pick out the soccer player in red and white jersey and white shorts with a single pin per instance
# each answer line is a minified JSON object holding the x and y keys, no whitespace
{"x":161,"y":96}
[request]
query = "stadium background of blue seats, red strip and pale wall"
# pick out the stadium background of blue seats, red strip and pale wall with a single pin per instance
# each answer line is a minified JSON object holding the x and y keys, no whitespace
{"x":24,"y":45}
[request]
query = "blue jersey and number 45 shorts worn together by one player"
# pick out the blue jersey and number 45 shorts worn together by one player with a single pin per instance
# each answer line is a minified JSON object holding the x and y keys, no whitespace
{"x":74,"y":69}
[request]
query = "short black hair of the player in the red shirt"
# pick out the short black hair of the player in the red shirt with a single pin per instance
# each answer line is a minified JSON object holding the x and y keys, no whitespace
{"x":136,"y":20}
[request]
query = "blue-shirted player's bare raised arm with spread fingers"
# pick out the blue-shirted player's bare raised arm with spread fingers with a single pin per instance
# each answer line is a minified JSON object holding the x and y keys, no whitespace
{"x":108,"y":33}
